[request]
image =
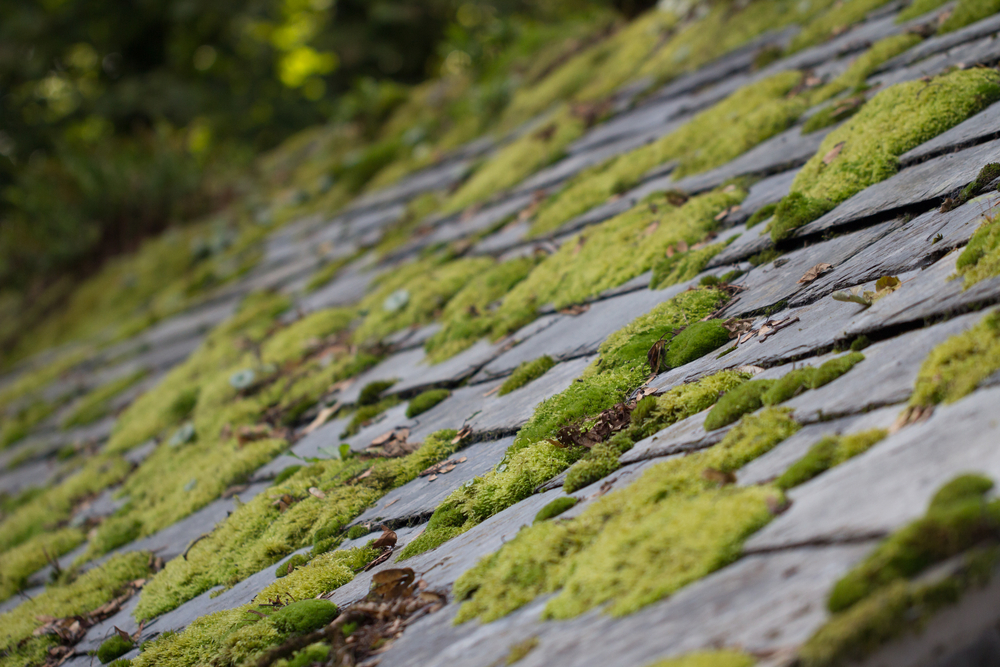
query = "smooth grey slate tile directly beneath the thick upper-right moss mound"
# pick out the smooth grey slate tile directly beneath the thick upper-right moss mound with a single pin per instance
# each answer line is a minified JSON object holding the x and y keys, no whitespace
{"x":925,"y":182}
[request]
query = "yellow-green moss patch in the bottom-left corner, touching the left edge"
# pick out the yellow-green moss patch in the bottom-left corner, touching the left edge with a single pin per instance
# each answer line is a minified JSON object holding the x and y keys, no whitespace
{"x":90,"y":590}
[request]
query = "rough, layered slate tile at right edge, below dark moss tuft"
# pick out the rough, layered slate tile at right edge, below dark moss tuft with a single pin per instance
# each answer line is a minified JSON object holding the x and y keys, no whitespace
{"x":910,"y":246}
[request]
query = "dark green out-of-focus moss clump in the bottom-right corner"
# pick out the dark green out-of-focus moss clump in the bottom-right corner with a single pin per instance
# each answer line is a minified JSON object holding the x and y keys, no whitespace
{"x":882,"y":598}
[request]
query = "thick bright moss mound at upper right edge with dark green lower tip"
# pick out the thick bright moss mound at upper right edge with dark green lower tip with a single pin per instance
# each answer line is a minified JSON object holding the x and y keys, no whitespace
{"x":871,"y":142}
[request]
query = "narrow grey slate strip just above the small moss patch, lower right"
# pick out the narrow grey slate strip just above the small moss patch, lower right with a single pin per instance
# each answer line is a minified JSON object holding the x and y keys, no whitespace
{"x":777,"y":461}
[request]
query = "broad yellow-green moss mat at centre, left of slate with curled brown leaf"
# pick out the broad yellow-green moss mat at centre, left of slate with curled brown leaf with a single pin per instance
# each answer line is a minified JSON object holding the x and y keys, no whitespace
{"x":609,"y":254}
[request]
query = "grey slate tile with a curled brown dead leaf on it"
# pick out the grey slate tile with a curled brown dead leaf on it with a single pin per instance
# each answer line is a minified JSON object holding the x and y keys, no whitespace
{"x":777,"y":281}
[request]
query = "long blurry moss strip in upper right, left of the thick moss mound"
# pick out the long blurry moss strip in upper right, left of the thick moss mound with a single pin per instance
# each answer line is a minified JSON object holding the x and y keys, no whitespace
{"x":729,"y":128}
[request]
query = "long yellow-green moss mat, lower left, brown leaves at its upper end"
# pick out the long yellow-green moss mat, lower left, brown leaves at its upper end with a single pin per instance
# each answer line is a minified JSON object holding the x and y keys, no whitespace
{"x":257,"y":534}
